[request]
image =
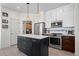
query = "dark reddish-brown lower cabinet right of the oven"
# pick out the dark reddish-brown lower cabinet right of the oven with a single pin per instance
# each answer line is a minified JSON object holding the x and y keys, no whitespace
{"x":68,"y":43}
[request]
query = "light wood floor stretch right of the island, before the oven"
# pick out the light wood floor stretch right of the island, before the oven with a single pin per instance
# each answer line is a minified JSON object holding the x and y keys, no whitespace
{"x":57,"y":52}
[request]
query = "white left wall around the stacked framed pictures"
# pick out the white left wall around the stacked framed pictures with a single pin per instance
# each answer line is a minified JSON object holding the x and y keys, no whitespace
{"x":5,"y":33}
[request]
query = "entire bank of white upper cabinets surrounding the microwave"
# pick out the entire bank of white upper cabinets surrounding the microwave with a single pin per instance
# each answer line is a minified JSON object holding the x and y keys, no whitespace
{"x":64,"y":14}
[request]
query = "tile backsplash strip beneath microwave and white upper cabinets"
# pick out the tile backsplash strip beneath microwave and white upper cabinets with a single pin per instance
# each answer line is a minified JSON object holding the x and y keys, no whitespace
{"x":63,"y":30}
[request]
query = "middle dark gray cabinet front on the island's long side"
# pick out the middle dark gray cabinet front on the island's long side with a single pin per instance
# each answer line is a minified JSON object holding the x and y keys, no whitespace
{"x":27,"y":46}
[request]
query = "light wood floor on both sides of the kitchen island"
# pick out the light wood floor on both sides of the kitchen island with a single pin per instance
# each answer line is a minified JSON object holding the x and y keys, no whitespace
{"x":13,"y":51}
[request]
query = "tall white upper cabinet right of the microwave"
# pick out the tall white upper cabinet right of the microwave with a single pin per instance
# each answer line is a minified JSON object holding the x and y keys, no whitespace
{"x":68,"y":20}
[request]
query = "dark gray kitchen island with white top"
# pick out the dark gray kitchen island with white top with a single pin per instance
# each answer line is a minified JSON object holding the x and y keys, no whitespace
{"x":33,"y":46}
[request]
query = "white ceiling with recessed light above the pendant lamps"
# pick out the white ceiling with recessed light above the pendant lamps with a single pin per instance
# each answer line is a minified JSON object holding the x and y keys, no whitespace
{"x":22,"y":7}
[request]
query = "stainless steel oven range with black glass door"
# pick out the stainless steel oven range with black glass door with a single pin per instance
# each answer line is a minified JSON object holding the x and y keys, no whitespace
{"x":55,"y":40}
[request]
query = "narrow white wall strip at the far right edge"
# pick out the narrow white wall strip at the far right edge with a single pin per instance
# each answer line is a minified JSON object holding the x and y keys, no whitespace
{"x":76,"y":20}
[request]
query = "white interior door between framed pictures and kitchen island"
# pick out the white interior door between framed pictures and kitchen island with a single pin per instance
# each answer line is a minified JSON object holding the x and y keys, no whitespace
{"x":14,"y":30}
